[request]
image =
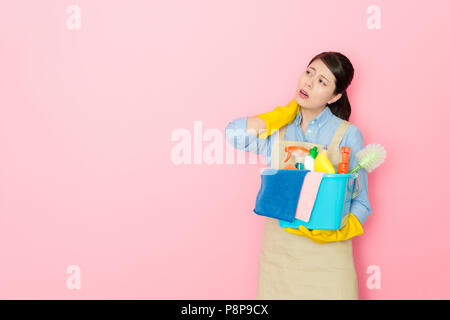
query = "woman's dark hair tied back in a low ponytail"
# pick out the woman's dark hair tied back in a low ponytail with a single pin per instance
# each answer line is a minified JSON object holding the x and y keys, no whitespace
{"x":343,"y":71}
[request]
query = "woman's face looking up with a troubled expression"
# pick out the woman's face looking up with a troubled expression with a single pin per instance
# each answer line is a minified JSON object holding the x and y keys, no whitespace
{"x":319,"y":83}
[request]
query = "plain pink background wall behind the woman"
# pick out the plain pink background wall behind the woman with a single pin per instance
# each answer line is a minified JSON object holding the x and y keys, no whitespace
{"x":87,"y":117}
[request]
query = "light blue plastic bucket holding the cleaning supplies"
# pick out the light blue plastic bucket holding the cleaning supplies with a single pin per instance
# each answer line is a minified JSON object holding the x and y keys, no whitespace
{"x":332,"y":203}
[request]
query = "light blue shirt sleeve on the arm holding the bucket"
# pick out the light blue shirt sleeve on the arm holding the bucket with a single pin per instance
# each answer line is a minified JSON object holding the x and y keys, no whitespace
{"x":360,"y":206}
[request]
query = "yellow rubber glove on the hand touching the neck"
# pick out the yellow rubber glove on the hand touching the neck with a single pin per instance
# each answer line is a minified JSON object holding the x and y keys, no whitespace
{"x":279,"y":117}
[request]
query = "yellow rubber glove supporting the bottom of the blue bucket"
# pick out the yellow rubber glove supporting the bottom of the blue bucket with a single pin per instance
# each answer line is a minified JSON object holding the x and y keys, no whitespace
{"x":351,"y":229}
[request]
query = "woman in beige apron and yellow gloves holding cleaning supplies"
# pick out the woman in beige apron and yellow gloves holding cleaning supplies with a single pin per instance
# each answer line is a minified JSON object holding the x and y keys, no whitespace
{"x":302,"y":263}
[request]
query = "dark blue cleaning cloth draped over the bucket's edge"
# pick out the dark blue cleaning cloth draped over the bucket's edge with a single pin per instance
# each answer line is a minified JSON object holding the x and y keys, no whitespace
{"x":279,"y":193}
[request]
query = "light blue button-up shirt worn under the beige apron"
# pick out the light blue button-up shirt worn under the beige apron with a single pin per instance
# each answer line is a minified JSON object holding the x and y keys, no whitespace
{"x":320,"y":130}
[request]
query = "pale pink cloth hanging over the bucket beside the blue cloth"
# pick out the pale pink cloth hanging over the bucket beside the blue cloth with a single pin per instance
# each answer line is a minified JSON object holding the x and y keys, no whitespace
{"x":308,"y":195}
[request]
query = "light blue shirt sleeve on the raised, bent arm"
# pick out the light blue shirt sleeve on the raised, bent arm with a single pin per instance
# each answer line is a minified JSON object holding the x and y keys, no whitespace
{"x":236,"y":134}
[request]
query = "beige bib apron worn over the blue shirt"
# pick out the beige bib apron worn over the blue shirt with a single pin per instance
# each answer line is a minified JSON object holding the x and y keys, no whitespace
{"x":295,"y":267}
